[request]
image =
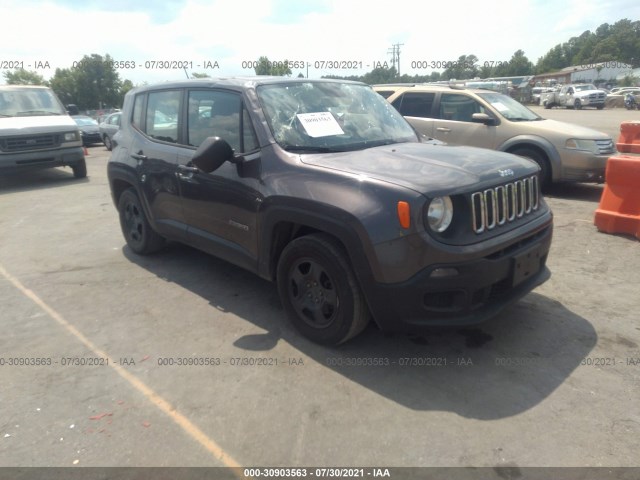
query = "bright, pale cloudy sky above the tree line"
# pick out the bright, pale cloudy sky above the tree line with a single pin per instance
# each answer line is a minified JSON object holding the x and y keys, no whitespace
{"x":351,"y":33}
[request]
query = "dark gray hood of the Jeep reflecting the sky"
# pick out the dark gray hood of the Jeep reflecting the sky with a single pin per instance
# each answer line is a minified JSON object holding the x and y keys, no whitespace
{"x":428,"y":168}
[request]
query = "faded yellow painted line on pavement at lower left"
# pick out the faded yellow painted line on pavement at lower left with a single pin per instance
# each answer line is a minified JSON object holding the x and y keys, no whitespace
{"x":210,"y":445}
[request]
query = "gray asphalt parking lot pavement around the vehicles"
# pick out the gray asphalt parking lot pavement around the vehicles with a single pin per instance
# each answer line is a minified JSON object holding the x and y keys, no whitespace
{"x":552,"y":381}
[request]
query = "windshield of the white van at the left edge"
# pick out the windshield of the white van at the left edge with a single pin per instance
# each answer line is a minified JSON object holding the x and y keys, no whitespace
{"x":18,"y":102}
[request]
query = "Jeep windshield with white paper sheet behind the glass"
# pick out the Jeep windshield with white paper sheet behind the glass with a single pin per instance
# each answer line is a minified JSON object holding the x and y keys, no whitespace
{"x":331,"y":117}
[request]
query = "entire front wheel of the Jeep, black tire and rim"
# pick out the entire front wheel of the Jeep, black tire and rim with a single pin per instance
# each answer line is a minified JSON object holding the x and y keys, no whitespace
{"x":319,"y":290}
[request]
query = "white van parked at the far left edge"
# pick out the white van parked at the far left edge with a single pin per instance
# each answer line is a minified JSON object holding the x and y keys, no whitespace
{"x":37,"y":132}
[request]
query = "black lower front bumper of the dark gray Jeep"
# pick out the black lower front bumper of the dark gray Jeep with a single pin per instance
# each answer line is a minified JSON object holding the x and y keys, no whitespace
{"x":481,"y":288}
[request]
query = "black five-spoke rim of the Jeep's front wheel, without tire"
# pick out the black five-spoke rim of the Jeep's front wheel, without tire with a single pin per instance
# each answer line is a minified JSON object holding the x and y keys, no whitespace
{"x":312,"y":293}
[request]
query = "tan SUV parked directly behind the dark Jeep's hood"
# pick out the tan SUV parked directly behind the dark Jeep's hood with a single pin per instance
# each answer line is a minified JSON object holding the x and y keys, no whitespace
{"x":481,"y":118}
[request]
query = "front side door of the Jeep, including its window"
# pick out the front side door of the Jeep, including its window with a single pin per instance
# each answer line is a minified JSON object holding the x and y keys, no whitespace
{"x":221,"y":207}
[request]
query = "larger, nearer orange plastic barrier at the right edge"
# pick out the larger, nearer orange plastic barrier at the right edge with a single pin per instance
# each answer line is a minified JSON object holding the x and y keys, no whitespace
{"x":619,"y":209}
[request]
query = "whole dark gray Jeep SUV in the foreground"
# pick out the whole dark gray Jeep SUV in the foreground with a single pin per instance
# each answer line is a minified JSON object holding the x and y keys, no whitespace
{"x":323,"y":188}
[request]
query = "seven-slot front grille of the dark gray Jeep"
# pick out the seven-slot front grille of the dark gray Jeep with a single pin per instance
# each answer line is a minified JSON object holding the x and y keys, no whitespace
{"x":498,"y":206}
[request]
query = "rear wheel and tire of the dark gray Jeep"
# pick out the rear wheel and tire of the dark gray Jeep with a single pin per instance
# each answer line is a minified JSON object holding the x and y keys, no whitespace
{"x":140,"y":237}
